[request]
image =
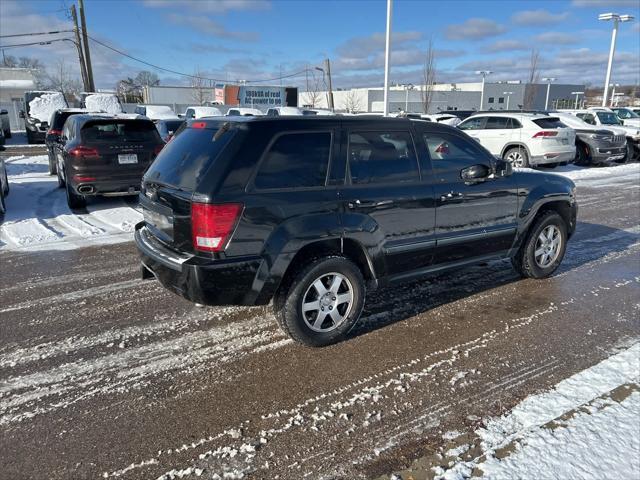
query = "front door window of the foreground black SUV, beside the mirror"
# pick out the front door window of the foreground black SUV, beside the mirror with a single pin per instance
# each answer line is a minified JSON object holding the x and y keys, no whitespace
{"x":451,"y":153}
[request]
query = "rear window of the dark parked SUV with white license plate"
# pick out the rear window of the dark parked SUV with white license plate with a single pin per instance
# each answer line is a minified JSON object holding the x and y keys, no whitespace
{"x":119,"y":131}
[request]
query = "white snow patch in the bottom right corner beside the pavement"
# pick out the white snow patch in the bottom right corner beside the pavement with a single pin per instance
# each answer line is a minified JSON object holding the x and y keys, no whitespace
{"x":586,"y":427}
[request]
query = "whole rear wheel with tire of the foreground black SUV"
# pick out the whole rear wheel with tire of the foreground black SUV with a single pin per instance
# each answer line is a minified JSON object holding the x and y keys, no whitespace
{"x":322,"y":301}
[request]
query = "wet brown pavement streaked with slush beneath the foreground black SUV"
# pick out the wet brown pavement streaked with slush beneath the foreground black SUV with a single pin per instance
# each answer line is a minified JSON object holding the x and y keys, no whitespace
{"x":104,"y":375}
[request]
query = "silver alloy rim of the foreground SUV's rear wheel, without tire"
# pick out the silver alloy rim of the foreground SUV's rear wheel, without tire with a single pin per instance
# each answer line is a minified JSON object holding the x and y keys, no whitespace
{"x":327,"y":302}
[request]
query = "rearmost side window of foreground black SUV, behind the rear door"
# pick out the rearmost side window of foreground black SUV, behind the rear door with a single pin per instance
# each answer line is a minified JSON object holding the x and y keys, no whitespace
{"x":295,"y":160}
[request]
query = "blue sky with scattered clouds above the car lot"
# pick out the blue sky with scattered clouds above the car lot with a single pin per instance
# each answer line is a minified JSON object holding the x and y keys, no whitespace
{"x":252,"y":40}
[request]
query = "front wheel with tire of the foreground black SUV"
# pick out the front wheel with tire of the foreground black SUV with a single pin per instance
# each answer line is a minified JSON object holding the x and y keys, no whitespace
{"x":543,"y":250}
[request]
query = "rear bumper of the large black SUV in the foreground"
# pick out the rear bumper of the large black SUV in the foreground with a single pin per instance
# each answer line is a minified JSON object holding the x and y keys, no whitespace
{"x":205,"y":281}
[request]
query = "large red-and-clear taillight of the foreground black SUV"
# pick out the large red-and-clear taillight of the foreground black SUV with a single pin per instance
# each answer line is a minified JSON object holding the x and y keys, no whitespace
{"x":212,"y":225}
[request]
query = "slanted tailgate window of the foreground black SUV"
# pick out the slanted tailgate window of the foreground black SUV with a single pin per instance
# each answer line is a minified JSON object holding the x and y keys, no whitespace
{"x":187,"y":157}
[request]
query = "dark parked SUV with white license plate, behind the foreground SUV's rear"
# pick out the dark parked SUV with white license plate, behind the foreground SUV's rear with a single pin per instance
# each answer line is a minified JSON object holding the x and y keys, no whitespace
{"x":100,"y":155}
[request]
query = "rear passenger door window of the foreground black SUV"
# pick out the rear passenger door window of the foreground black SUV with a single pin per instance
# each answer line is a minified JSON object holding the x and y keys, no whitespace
{"x":379,"y":157}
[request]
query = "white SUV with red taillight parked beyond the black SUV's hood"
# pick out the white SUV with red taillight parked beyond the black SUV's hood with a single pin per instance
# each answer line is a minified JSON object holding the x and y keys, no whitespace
{"x":524,"y":139}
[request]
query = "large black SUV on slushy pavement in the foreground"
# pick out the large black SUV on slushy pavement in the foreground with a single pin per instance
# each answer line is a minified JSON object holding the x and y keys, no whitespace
{"x":312,"y":212}
